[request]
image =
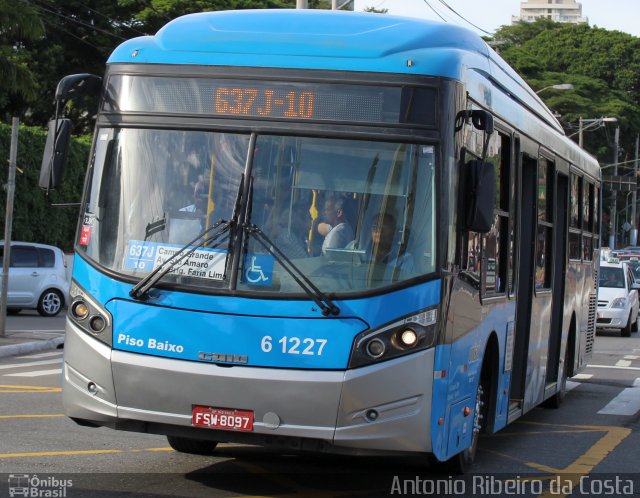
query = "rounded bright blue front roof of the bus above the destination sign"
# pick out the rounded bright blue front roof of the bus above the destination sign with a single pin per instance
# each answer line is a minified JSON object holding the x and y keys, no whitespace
{"x":309,"y":39}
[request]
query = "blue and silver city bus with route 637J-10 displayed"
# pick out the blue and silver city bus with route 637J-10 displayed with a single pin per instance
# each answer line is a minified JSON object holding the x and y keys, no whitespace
{"x":329,"y":231}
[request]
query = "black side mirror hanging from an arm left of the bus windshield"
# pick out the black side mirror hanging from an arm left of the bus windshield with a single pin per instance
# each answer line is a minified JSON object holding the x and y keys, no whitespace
{"x":55,"y":153}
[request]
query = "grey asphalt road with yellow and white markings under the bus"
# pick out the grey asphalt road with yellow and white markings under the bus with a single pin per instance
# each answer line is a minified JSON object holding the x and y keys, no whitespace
{"x":588,"y":447}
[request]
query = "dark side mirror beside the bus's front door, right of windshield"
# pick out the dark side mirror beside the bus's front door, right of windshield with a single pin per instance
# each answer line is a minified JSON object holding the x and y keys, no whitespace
{"x":480,"y":187}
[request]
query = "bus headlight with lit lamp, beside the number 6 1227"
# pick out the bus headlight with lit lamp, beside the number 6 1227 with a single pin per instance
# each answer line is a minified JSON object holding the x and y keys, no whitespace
{"x":404,"y":336}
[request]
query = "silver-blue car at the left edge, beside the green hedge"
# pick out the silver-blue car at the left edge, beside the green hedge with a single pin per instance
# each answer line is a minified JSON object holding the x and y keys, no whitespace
{"x":37,"y":278}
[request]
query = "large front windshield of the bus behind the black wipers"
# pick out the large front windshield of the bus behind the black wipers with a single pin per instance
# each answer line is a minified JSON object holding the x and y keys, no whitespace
{"x":351,"y":215}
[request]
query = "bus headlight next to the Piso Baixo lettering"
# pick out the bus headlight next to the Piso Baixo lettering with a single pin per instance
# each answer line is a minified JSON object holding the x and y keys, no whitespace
{"x":88,"y":315}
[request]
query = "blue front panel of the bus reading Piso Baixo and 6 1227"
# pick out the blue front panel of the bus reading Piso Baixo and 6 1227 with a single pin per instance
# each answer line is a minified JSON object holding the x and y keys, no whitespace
{"x":181,"y":325}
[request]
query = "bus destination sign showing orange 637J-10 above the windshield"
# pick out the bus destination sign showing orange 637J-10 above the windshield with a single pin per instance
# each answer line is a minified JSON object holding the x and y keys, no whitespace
{"x":270,"y":100}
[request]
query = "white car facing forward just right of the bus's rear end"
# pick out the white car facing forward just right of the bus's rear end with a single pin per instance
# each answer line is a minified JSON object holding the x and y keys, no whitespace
{"x":617,"y":298}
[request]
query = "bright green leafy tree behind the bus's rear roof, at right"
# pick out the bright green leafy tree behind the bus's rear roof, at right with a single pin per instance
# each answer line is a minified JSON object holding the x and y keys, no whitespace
{"x":603,"y":66}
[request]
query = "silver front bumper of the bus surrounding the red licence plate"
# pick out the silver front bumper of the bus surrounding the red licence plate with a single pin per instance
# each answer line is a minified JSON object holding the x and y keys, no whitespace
{"x":117,"y":388}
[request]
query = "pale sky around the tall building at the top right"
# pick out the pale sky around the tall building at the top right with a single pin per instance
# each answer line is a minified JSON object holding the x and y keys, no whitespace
{"x":621,"y":15}
